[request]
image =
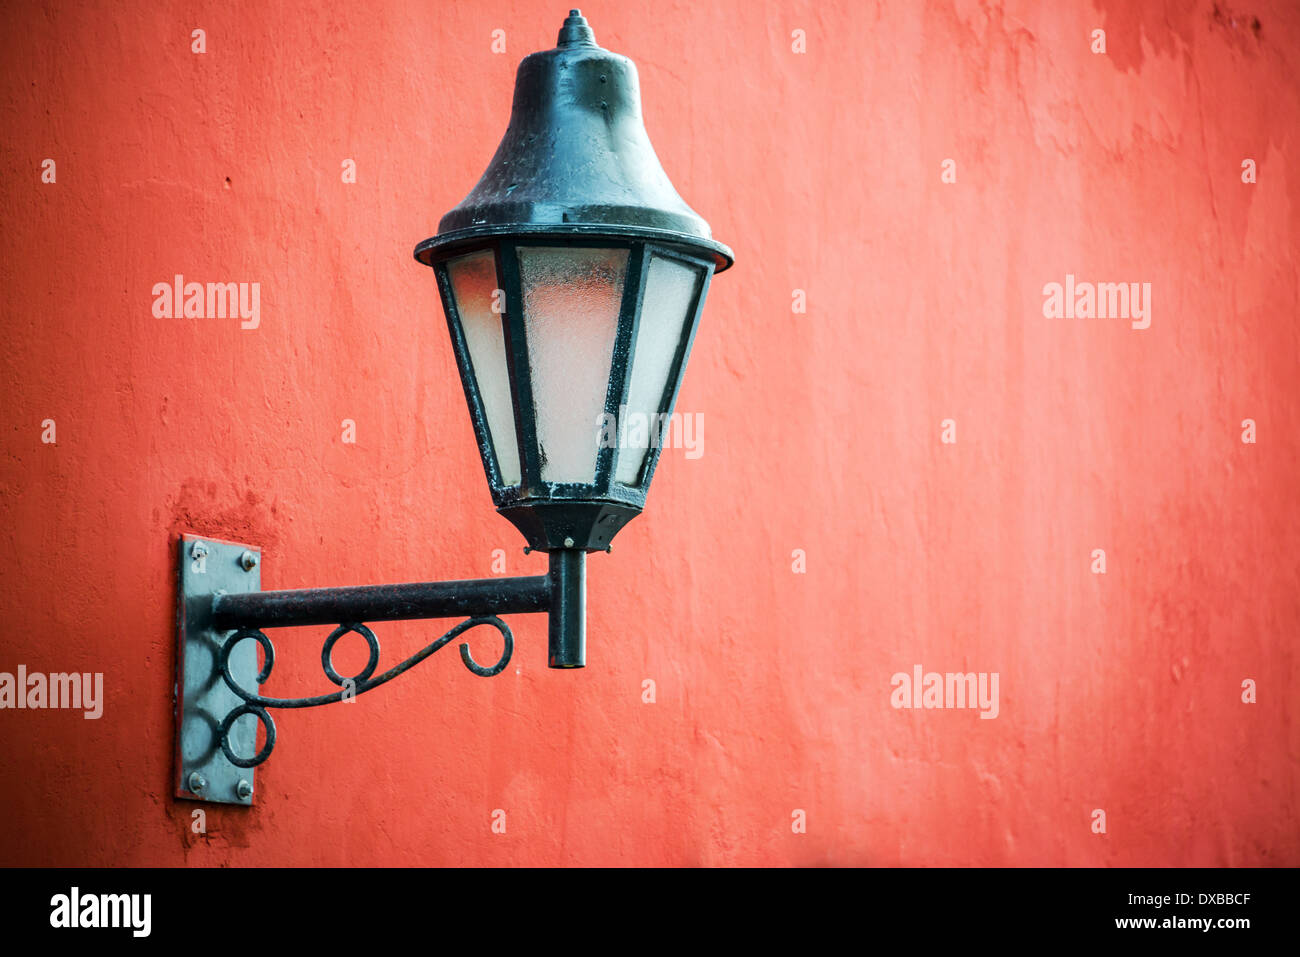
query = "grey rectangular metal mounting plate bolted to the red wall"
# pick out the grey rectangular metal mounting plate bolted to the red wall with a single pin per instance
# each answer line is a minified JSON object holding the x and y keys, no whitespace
{"x":203,"y":700}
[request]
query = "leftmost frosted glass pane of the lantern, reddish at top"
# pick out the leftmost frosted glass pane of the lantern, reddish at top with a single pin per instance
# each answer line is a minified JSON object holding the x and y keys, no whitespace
{"x":474,"y":280}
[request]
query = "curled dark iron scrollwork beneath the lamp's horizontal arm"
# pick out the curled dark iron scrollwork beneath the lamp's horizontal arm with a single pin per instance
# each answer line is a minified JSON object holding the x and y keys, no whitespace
{"x":257,"y":705}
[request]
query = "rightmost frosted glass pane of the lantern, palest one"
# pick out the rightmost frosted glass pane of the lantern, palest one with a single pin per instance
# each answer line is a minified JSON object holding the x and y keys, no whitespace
{"x":670,"y":288}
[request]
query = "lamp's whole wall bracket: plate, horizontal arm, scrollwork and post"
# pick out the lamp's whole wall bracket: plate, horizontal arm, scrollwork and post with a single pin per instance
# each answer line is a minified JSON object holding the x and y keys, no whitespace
{"x":218,"y":621}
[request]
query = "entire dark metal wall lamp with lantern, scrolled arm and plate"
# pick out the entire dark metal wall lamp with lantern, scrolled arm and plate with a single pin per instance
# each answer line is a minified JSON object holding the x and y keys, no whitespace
{"x":573,"y":279}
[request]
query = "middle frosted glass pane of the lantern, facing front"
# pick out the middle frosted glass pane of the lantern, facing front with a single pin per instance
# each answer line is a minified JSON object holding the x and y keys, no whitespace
{"x":571,"y":314}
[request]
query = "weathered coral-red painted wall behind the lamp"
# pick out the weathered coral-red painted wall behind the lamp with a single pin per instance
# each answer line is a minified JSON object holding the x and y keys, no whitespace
{"x":1120,"y":692}
